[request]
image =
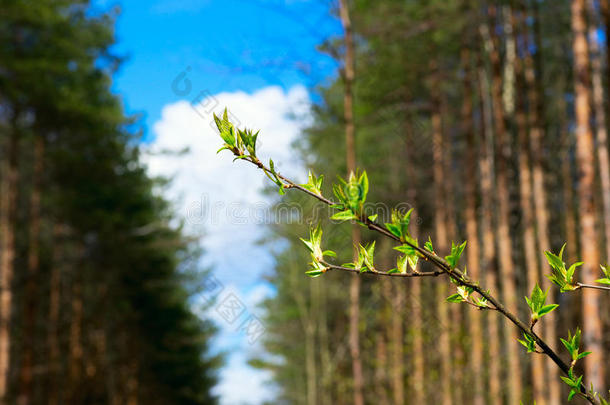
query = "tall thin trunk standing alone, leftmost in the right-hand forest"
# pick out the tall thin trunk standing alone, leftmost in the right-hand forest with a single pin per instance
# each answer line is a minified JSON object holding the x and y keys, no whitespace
{"x":354,"y":316}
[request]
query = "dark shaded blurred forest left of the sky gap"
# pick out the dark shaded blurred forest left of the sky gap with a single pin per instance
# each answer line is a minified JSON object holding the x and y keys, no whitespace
{"x":94,"y":305}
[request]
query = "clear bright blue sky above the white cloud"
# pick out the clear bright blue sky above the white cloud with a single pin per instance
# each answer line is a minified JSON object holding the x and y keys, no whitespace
{"x":225,"y":45}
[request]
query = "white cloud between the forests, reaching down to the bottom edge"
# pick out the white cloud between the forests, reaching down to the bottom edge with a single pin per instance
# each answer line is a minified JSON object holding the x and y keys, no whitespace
{"x":223,"y":200}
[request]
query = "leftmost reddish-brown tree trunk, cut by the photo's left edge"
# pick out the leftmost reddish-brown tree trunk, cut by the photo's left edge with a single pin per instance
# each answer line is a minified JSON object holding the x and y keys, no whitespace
{"x":8,"y":213}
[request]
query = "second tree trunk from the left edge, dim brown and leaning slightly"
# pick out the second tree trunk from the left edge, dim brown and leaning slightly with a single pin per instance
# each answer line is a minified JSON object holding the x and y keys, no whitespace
{"x":25,"y":394}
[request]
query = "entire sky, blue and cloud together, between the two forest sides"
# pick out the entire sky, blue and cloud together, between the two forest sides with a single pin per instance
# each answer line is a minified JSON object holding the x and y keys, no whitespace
{"x":188,"y":58}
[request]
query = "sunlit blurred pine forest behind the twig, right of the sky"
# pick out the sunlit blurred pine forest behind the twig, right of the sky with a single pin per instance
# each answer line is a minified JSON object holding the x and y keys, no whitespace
{"x":488,"y":118}
